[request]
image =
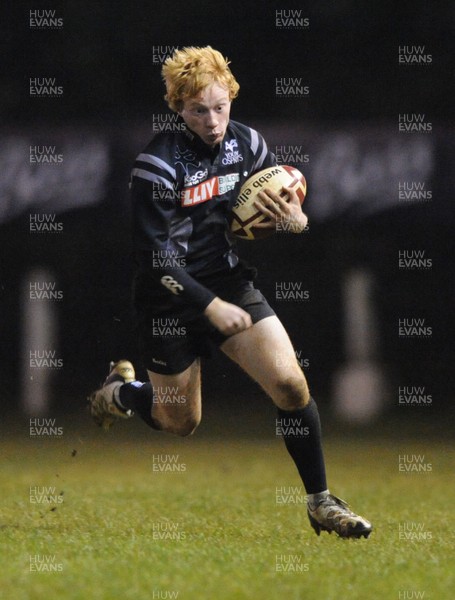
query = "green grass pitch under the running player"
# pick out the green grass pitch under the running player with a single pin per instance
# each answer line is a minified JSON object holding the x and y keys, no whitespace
{"x":231,"y":527}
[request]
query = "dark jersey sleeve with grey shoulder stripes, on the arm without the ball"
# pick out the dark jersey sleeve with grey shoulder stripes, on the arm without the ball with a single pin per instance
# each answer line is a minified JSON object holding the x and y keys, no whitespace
{"x":160,"y":233}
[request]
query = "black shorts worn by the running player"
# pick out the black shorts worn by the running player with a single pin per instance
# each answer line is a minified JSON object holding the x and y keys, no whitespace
{"x":172,"y":335}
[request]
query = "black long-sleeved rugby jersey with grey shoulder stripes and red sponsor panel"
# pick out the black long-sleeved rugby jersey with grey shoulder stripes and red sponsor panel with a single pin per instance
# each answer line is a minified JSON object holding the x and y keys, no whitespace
{"x":182,"y":192}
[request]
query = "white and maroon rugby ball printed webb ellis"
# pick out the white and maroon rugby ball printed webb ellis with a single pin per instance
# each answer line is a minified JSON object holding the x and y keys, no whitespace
{"x":245,"y":216}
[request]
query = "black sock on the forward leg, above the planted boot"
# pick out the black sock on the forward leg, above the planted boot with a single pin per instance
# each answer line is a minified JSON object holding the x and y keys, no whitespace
{"x":301,"y":430}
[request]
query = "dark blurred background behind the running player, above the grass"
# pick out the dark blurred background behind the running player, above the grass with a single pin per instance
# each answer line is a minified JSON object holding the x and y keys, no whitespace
{"x":343,"y":135}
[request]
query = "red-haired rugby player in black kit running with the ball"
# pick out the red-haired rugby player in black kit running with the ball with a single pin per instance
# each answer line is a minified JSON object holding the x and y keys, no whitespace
{"x":191,"y":290}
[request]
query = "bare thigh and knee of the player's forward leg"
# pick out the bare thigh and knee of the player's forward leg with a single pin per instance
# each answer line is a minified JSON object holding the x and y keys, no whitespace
{"x":266,"y":353}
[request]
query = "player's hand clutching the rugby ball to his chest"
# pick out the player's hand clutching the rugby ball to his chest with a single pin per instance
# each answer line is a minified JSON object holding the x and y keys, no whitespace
{"x":288,"y":212}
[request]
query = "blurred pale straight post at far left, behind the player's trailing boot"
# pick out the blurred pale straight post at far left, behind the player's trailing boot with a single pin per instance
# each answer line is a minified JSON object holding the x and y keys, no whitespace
{"x":38,"y":343}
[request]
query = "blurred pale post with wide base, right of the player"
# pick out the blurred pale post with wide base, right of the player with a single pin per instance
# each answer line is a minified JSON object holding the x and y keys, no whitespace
{"x":360,"y":385}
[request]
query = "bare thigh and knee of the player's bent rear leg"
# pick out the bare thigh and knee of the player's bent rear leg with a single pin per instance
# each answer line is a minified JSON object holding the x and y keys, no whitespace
{"x":177,"y":399}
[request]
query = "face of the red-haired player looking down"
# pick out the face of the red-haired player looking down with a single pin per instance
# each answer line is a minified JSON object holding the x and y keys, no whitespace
{"x":207,"y":114}
